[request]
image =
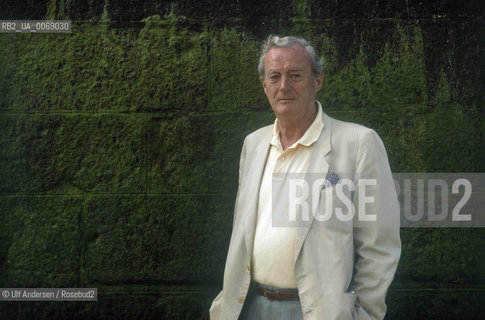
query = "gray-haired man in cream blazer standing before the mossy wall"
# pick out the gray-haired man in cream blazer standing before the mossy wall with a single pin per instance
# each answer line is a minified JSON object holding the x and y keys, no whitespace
{"x":333,"y":268}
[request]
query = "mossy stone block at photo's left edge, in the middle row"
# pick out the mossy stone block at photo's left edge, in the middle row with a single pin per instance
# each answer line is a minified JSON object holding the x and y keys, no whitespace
{"x":61,"y":153}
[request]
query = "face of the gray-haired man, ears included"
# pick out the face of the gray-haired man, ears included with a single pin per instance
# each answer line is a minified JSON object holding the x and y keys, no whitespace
{"x":289,"y":84}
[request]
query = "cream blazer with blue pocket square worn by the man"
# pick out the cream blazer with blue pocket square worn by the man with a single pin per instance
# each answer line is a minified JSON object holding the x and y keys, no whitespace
{"x":343,"y":269}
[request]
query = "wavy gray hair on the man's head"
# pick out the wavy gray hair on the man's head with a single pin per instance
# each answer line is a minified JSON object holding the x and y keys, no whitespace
{"x":285,"y":42}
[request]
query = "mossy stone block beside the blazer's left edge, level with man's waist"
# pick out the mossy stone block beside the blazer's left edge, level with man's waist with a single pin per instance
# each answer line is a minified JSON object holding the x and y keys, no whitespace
{"x":156,"y":239}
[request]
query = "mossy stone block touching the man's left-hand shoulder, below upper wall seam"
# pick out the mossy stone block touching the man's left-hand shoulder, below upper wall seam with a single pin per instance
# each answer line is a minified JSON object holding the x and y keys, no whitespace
{"x":198,"y":154}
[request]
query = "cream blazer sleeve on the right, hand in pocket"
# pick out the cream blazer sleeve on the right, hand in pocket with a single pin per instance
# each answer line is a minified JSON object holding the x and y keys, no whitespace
{"x":376,"y":227}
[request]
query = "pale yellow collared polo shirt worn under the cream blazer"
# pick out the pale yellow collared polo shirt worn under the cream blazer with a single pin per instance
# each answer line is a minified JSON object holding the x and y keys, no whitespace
{"x":274,"y":247}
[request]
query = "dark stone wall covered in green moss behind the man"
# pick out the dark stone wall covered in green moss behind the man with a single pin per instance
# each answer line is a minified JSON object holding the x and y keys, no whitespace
{"x":119,"y":142}
